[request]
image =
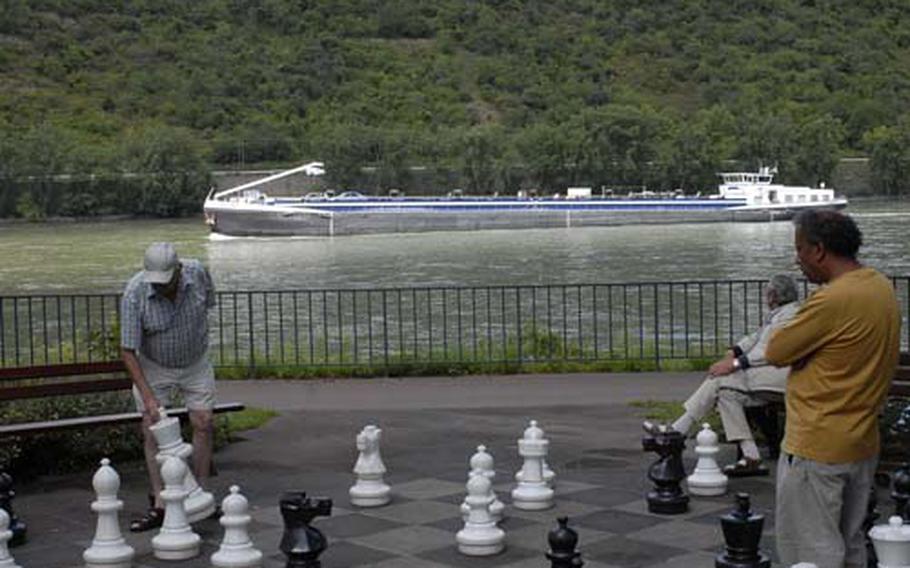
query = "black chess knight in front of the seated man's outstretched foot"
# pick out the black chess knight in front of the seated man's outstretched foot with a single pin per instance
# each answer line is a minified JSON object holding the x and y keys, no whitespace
{"x":667,"y":472}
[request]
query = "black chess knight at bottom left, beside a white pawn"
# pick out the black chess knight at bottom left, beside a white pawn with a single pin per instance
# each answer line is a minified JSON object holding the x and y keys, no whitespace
{"x":302,"y":543}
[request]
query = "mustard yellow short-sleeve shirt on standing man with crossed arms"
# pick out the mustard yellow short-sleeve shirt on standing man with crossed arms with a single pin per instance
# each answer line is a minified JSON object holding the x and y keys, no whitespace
{"x":843,"y":346}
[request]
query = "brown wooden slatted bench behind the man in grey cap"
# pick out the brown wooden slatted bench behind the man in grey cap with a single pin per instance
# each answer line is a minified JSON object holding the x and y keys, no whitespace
{"x":44,"y":381}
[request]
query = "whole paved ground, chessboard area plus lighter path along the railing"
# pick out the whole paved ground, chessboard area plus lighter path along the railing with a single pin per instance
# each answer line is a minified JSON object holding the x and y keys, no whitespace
{"x":431,"y":427}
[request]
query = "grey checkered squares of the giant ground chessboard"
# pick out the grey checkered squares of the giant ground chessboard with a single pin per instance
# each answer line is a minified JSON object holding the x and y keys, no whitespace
{"x":418,"y":529}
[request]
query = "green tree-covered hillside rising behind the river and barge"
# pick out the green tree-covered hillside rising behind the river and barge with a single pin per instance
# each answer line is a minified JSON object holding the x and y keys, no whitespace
{"x":491,"y":95}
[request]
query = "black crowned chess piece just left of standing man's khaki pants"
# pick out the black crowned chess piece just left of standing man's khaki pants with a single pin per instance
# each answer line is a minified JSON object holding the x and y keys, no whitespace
{"x":742,"y":533}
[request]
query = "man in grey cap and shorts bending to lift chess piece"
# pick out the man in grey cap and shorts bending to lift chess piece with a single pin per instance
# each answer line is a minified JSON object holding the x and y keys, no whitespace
{"x":164,"y":344}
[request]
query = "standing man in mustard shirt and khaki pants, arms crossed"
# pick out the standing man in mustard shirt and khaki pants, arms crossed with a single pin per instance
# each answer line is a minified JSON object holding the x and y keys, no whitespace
{"x":843,"y":348}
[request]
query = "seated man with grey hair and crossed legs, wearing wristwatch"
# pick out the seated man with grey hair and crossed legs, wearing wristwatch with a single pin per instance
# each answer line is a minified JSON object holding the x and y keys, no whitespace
{"x":743,"y":371}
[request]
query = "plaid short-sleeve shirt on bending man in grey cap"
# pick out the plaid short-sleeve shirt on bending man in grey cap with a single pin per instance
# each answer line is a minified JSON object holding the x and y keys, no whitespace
{"x":172,"y":334}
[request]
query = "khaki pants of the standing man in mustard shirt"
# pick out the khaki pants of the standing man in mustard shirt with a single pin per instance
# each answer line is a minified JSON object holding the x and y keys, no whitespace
{"x":820,"y":511}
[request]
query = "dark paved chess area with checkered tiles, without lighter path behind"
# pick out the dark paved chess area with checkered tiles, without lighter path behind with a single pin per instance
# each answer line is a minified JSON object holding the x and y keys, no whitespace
{"x":601,"y":486}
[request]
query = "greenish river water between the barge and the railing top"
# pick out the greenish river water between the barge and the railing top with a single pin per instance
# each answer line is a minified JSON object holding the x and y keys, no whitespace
{"x":100,"y":256}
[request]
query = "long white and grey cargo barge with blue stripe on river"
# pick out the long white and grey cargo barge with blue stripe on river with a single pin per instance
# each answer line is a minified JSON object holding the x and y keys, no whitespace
{"x":246,"y":210}
